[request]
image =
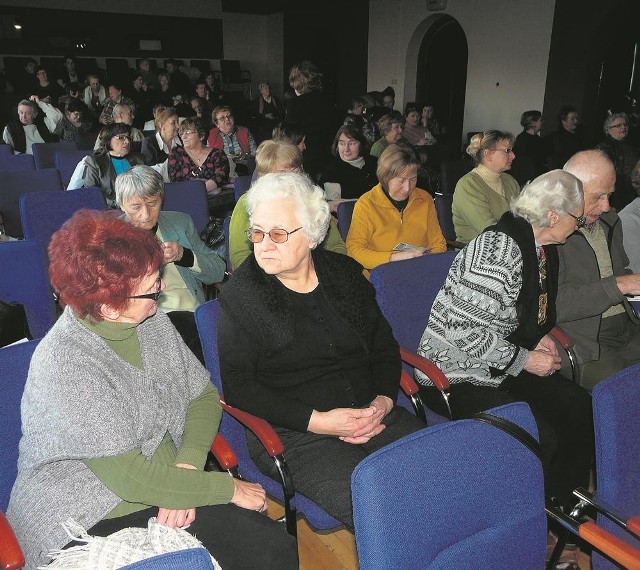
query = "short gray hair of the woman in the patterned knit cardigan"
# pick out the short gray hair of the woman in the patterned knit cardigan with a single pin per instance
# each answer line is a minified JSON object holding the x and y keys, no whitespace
{"x":556,"y":191}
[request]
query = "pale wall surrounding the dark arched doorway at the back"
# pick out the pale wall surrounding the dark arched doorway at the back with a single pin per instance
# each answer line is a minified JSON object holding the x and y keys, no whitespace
{"x":508,"y":44}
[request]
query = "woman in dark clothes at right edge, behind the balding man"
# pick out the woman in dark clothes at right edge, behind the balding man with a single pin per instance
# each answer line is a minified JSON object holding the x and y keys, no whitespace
{"x":623,"y":155}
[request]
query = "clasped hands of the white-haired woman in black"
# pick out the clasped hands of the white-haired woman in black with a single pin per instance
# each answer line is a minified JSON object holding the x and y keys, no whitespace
{"x":352,"y":425}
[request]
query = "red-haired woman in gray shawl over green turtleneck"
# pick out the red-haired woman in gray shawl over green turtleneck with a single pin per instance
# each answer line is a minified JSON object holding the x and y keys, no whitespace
{"x":118,"y":415}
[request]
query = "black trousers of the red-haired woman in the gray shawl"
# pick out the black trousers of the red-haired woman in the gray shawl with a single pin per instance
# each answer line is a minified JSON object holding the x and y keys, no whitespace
{"x":236,"y":538}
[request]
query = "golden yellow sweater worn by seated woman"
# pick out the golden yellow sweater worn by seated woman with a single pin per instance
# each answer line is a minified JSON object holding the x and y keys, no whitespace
{"x":377,"y":227}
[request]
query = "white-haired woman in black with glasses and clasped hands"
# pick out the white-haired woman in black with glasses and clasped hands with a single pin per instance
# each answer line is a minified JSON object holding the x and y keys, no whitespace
{"x":304,"y":345}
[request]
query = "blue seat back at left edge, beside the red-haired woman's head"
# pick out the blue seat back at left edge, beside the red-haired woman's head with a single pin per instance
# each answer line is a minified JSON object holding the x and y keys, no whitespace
{"x":24,"y":279}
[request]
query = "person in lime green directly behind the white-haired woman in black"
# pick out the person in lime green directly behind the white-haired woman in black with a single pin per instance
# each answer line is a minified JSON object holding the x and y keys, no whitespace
{"x":272,"y":156}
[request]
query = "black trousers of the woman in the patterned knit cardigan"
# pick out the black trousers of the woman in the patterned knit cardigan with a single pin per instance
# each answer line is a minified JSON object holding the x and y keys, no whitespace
{"x":563,"y":414}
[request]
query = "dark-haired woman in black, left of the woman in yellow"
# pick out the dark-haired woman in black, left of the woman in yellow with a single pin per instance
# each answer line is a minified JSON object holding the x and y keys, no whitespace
{"x":352,"y":170}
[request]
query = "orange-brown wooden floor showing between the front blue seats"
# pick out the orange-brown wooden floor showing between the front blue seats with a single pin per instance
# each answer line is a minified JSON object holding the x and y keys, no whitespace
{"x":337,"y":550}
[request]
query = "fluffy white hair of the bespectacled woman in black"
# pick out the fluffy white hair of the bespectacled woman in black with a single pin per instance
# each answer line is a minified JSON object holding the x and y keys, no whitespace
{"x":311,"y":207}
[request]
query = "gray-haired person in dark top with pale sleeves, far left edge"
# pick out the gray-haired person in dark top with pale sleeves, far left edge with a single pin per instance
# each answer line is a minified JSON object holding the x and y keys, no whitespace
{"x":30,"y":126}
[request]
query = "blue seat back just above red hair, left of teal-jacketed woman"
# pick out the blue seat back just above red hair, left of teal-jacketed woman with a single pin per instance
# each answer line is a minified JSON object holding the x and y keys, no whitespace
{"x":43,"y":213}
